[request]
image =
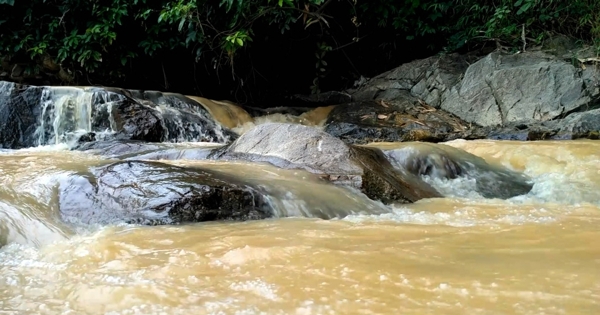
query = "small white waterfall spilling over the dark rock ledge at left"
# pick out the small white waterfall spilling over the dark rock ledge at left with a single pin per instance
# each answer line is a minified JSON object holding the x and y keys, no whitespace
{"x":68,"y":113}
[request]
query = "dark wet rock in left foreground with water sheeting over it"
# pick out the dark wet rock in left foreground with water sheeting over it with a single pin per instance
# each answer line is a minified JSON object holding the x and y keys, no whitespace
{"x":156,"y":193}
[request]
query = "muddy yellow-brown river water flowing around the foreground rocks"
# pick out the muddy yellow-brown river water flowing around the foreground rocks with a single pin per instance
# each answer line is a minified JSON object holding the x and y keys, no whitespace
{"x":532,"y":254}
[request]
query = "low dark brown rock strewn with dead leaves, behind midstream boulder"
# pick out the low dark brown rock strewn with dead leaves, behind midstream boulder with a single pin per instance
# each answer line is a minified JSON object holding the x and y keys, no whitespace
{"x":405,"y":118}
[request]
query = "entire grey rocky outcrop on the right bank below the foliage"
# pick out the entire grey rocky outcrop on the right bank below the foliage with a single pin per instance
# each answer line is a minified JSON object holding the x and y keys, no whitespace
{"x":528,"y":96}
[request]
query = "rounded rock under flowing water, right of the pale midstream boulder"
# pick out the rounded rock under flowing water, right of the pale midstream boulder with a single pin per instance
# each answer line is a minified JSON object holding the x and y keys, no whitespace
{"x":438,"y":161}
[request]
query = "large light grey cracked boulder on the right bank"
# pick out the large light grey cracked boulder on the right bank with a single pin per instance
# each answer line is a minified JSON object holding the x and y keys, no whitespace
{"x":500,"y":89}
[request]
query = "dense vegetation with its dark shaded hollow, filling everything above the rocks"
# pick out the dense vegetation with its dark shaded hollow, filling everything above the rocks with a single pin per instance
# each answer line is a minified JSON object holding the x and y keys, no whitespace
{"x":255,"y":47}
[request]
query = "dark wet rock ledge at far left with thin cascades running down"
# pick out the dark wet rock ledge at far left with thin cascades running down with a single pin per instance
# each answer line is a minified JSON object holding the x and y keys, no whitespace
{"x":32,"y":116}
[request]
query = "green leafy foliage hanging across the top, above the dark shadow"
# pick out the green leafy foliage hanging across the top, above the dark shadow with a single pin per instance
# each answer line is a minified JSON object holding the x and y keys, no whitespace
{"x":100,"y":37}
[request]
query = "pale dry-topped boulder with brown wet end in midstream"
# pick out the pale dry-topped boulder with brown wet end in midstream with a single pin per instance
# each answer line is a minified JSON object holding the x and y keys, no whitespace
{"x":300,"y":147}
